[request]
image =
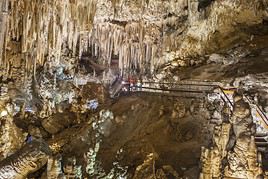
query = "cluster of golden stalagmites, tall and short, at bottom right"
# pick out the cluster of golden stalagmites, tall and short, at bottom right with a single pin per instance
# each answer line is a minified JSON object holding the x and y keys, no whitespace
{"x":242,"y":158}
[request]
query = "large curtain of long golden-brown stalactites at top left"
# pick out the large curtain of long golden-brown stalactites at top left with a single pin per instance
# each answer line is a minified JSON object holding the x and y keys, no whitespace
{"x":44,"y":27}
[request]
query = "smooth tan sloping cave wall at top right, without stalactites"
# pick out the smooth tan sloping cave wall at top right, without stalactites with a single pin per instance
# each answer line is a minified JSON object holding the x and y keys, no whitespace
{"x":219,"y":26}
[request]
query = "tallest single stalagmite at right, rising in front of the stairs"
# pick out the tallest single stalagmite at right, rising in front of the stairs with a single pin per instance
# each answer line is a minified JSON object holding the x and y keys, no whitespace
{"x":242,"y":161}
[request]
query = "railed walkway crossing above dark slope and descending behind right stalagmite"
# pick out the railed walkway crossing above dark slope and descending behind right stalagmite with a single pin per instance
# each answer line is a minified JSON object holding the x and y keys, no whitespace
{"x":203,"y":89}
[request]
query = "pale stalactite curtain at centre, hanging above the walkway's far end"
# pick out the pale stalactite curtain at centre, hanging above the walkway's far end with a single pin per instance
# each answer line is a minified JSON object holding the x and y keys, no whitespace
{"x":129,"y":43}
